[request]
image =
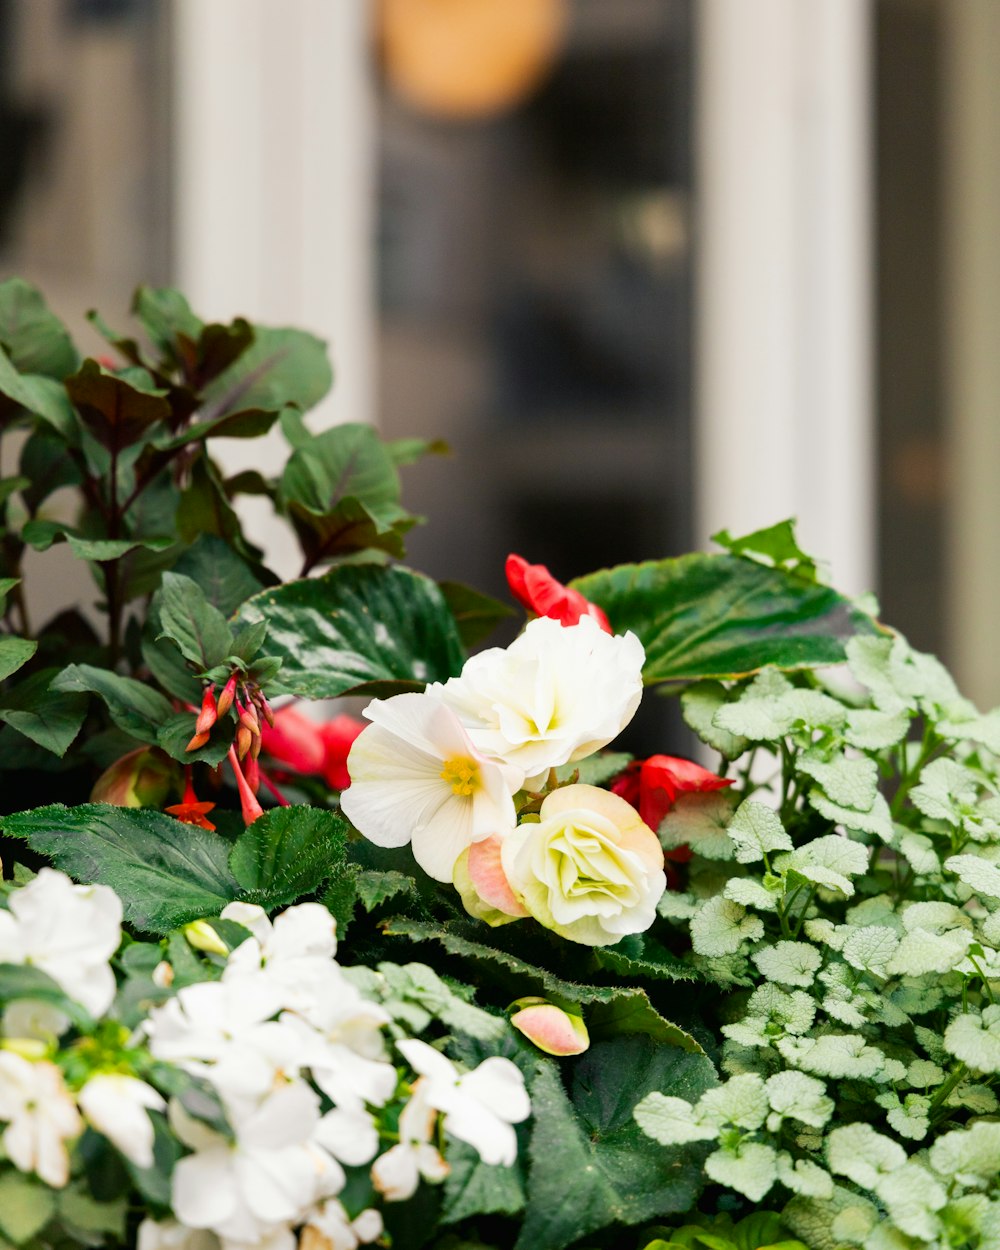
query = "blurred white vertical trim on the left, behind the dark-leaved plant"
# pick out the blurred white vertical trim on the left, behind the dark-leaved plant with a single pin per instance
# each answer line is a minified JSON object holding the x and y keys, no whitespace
{"x":274,"y":191}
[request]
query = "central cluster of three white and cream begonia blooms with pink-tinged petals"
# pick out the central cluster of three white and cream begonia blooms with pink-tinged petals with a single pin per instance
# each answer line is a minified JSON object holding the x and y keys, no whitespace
{"x":441,"y":771}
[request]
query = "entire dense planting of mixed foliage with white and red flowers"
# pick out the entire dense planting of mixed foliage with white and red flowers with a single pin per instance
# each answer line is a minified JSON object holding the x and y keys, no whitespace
{"x":753,"y":1004}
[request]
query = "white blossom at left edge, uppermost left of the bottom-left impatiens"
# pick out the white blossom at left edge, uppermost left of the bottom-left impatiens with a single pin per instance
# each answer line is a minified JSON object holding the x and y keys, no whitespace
{"x":69,"y":932}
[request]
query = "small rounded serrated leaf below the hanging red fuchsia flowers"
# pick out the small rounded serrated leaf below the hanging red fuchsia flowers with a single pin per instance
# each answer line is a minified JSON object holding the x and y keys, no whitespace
{"x":288,"y":853}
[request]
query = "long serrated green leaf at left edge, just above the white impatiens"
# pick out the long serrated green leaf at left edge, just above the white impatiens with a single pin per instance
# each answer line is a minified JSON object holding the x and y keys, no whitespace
{"x":167,"y":873}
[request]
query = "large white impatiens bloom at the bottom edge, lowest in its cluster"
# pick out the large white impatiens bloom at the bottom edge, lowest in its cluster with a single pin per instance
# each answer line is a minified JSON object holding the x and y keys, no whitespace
{"x":267,"y":1181}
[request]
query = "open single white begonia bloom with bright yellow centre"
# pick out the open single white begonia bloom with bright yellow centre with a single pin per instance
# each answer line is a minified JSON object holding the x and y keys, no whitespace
{"x":417,"y":778}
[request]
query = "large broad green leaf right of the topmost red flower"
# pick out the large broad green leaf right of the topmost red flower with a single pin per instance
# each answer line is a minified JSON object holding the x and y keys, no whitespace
{"x":723,"y":617}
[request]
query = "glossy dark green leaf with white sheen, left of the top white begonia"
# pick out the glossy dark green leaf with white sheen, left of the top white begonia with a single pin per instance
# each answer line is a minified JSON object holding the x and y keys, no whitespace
{"x":359,"y":628}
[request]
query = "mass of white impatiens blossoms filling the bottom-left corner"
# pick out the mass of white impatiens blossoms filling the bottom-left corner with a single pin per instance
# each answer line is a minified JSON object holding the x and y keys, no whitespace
{"x":297,"y":1056}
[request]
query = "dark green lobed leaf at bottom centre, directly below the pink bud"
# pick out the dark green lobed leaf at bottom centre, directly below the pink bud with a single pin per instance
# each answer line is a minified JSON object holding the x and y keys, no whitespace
{"x":591,"y":1164}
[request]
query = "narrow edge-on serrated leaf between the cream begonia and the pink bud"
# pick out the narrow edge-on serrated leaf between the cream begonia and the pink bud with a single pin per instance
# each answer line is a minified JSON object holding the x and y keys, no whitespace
{"x":611,"y":1009}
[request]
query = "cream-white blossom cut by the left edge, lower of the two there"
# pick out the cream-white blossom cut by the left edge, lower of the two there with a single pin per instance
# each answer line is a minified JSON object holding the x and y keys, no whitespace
{"x":42,"y":1118}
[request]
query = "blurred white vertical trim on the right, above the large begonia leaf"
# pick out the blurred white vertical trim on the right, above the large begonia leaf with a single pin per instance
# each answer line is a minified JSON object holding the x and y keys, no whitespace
{"x":783,"y":357}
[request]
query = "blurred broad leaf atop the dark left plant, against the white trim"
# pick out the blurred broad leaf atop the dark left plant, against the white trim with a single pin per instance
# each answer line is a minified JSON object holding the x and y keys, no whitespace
{"x":282,"y":367}
